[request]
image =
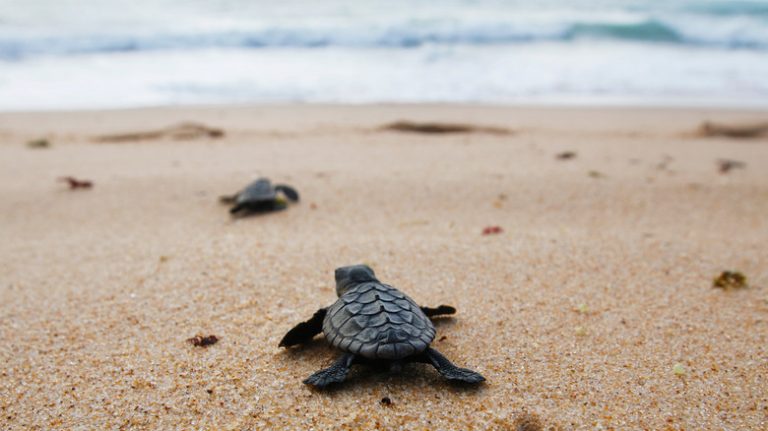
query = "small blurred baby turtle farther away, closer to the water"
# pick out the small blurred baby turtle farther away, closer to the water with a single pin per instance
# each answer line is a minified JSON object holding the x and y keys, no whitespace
{"x":261,"y":196}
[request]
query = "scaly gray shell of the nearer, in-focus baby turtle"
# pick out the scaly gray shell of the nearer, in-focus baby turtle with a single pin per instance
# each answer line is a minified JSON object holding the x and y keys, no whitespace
{"x":377,"y":321}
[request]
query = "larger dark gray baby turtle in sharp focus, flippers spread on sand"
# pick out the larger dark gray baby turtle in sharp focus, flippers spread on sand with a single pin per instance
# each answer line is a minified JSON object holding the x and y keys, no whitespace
{"x":372,"y":322}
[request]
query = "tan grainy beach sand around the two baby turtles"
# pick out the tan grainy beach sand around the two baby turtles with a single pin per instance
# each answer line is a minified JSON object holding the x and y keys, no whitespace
{"x":577,"y":313}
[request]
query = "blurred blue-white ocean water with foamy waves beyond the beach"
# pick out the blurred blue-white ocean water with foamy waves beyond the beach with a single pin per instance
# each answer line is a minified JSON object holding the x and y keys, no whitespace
{"x":82,"y":54}
